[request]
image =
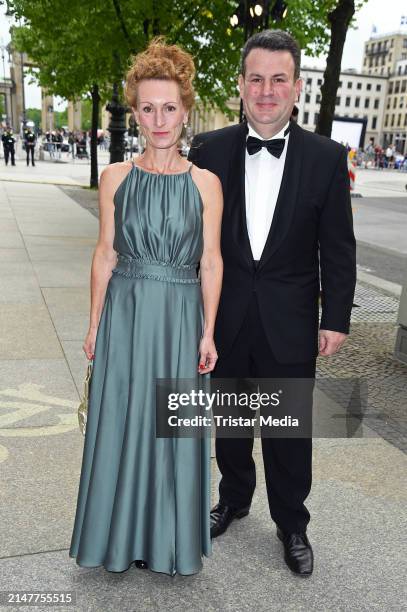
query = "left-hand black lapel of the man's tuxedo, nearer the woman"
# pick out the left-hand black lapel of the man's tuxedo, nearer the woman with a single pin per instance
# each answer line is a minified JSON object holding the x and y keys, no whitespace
{"x":236,"y":194}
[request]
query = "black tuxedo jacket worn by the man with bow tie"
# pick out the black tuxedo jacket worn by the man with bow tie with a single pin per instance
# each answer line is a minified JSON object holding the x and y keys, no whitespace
{"x":311,"y":242}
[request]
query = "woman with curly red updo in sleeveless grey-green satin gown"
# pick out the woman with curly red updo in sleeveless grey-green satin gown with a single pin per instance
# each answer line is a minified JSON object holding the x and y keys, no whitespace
{"x":142,"y":498}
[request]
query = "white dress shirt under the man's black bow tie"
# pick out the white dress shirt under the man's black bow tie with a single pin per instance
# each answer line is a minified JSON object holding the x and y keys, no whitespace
{"x":263,"y":174}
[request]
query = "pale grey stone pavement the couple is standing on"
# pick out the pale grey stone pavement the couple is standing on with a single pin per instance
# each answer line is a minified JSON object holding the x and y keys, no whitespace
{"x":359,"y":493}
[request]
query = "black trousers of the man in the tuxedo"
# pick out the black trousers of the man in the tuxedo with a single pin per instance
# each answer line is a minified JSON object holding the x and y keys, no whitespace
{"x":288,"y":461}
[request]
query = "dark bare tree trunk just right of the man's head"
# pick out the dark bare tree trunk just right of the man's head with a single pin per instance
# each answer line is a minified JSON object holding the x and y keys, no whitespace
{"x":339,"y":18}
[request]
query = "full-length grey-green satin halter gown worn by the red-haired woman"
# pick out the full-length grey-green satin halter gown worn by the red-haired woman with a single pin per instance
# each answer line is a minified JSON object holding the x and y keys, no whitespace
{"x":142,"y":497}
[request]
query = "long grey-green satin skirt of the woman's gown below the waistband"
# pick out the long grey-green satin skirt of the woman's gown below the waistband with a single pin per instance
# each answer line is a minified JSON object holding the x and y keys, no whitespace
{"x":142,"y":497}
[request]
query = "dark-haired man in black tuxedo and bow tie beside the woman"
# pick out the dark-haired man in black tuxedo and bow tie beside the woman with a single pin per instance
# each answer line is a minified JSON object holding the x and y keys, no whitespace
{"x":286,"y":212}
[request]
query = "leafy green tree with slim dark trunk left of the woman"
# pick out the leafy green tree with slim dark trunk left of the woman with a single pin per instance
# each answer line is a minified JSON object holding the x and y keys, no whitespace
{"x":72,"y":52}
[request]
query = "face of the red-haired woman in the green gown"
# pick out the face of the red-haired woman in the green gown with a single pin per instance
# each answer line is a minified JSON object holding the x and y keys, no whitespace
{"x":160,"y":112}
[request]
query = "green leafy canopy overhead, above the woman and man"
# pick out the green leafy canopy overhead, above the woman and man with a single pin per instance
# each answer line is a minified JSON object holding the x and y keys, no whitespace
{"x":85,"y":43}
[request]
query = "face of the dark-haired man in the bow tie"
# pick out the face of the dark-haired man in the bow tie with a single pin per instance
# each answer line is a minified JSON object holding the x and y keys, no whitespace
{"x":268,"y":89}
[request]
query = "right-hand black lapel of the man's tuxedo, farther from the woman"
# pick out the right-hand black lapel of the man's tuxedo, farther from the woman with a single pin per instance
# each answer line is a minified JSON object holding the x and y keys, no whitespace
{"x":287,"y":195}
